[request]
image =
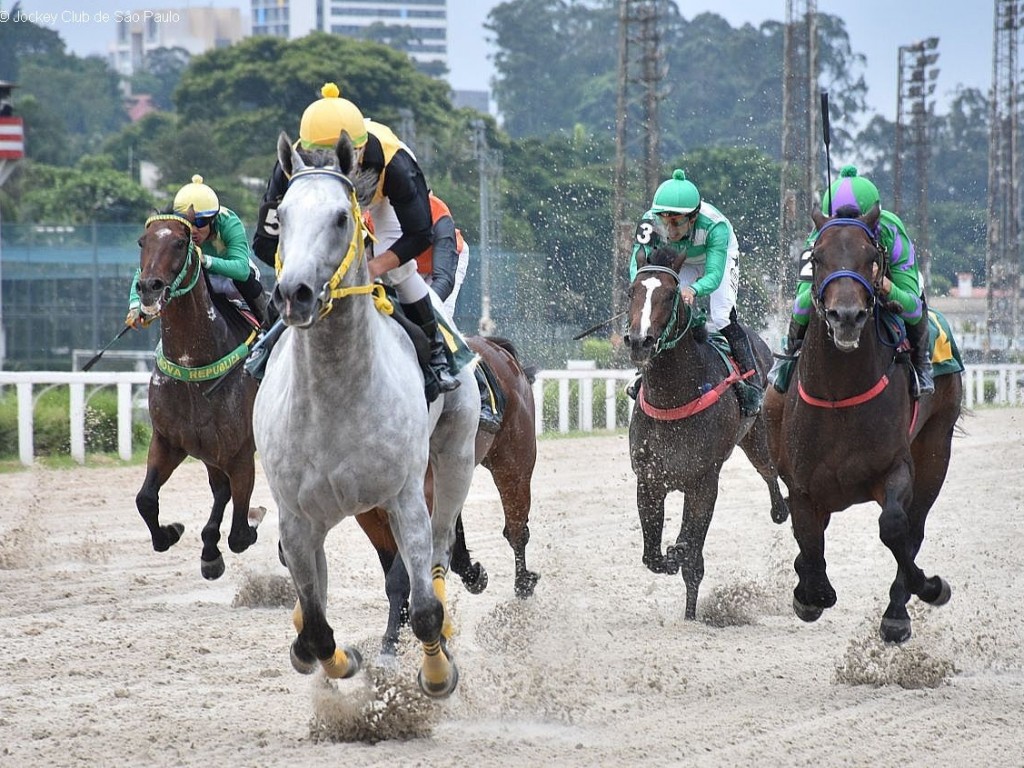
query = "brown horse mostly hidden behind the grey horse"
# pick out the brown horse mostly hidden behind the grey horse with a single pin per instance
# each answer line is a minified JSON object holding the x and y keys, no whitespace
{"x":510,"y":455}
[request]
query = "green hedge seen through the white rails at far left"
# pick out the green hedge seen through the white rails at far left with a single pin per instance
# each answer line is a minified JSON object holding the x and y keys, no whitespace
{"x":52,"y":423}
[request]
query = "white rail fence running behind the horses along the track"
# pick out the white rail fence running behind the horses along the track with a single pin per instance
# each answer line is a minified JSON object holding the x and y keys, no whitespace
{"x":579,"y":400}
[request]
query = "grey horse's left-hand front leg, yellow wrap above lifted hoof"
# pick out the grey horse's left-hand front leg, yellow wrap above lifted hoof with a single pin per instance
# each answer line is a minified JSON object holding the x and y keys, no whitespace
{"x":303,"y":546}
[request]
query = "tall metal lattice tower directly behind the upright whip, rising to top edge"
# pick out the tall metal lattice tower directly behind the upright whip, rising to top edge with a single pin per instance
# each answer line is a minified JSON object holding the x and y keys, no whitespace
{"x":800,"y":138}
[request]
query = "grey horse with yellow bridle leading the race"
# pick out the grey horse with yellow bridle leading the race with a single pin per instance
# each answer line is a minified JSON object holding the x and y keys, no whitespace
{"x":343,"y":425}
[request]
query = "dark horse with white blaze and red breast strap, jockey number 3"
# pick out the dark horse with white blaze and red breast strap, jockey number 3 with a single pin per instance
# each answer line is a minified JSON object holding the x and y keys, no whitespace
{"x":687,"y":420}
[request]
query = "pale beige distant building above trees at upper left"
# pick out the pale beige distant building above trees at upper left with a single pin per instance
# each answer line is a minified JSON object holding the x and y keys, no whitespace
{"x":196,"y":30}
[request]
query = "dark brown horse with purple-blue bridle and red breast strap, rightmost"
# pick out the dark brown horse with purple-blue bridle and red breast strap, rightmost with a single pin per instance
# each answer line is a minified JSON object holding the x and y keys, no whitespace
{"x":847,"y":431}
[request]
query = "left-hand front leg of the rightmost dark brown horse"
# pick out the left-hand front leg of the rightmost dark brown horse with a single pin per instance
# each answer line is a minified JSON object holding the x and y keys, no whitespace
{"x":814,"y":593}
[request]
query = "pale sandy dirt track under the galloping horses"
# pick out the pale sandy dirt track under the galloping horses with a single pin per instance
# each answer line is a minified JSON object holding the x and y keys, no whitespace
{"x":116,"y":656}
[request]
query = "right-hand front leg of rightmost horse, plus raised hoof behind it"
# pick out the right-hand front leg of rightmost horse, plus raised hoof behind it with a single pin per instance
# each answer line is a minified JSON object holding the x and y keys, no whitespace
{"x":904,"y":535}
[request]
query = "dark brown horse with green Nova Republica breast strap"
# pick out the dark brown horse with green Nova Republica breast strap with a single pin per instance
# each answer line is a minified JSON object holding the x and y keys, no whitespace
{"x":201,"y":338}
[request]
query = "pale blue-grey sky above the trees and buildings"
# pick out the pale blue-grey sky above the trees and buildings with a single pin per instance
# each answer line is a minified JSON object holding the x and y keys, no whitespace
{"x":877,"y":29}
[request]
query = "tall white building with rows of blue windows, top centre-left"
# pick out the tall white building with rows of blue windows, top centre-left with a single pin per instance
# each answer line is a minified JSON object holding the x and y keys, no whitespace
{"x":425,"y":23}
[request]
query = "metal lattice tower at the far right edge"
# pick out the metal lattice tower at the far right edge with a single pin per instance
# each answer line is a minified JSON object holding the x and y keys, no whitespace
{"x":1003,"y":255}
